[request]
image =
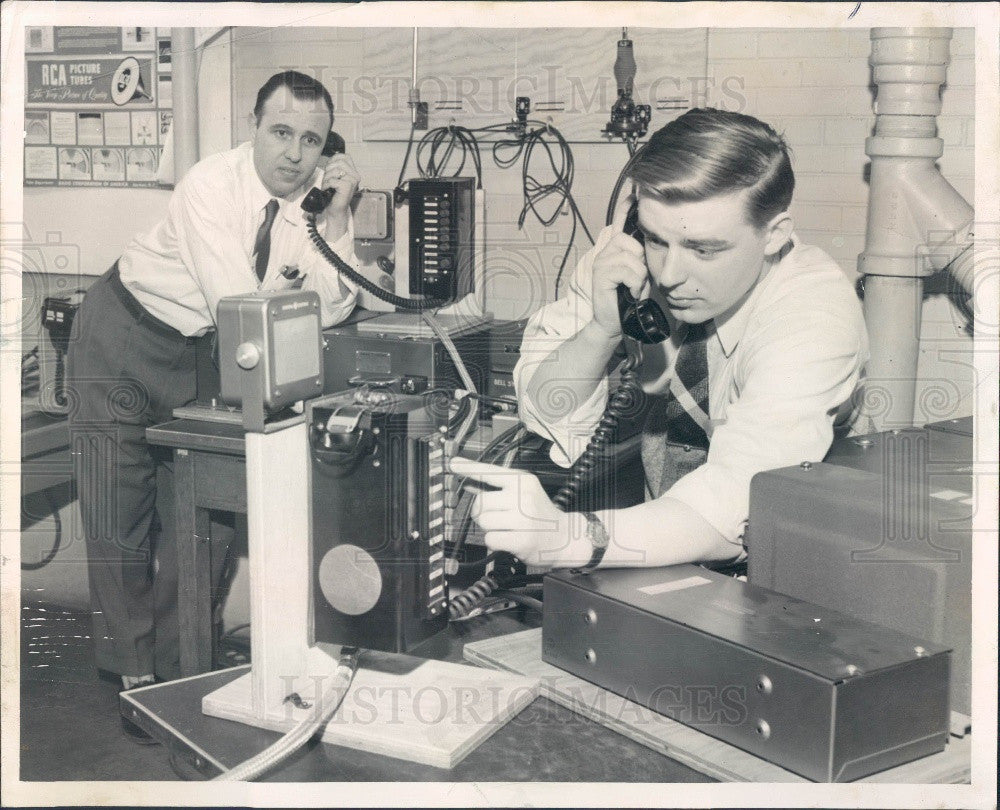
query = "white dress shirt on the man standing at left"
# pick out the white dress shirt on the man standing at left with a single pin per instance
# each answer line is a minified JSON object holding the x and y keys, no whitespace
{"x":201,"y":251}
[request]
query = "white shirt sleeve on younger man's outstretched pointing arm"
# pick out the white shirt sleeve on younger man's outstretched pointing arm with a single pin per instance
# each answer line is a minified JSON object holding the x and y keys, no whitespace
{"x":795,"y":374}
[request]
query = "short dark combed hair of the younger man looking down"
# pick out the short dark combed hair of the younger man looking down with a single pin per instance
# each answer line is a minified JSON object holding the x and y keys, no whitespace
{"x":707,"y":152}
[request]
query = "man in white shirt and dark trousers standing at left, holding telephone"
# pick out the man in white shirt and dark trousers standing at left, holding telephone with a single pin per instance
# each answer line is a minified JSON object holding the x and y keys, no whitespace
{"x":233,"y":225}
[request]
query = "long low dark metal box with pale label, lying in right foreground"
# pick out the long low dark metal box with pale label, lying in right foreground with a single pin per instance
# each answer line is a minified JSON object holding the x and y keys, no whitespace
{"x":829,"y":697}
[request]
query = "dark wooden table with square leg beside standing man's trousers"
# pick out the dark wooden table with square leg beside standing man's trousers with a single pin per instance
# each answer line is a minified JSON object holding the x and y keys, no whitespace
{"x":209,"y":474}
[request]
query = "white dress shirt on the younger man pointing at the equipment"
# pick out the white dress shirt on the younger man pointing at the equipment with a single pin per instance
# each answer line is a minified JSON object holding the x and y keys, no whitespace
{"x":782,"y":366}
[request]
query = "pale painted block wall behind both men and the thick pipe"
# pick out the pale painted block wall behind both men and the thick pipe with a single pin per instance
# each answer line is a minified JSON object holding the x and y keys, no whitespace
{"x":812,"y":84}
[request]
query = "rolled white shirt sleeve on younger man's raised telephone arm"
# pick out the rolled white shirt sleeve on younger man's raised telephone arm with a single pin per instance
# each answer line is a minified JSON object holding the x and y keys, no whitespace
{"x":558,"y":415}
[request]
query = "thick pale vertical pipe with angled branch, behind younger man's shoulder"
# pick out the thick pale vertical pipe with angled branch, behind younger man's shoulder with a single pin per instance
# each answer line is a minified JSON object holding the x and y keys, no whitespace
{"x":917,"y":223}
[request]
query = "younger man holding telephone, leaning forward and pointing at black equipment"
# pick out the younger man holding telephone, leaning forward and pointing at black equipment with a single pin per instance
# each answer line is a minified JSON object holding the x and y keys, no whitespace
{"x":767,"y":345}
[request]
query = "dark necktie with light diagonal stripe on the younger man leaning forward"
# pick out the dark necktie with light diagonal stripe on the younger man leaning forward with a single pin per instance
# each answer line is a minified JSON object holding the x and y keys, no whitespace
{"x":675,"y":440}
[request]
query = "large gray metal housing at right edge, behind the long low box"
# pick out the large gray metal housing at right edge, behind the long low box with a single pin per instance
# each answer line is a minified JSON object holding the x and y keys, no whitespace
{"x":881,"y":531}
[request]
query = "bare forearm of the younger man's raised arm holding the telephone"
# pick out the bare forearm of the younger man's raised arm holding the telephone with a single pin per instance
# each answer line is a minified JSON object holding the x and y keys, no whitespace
{"x":574,"y":369}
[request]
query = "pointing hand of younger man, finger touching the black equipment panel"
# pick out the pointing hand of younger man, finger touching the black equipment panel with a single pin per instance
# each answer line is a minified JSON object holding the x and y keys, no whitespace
{"x":518,"y":516}
